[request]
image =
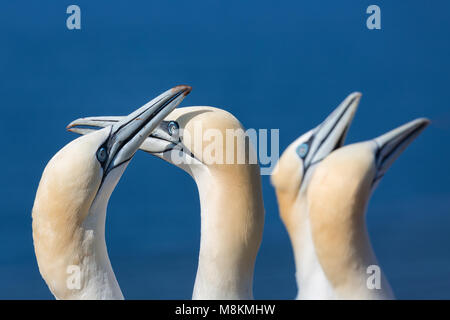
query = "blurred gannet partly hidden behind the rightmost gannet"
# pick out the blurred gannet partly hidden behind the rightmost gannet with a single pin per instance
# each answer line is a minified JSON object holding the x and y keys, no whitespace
{"x":291,"y":177}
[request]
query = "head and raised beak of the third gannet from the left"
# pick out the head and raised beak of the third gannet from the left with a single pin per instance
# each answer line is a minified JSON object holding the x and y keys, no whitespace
{"x":292,"y":174}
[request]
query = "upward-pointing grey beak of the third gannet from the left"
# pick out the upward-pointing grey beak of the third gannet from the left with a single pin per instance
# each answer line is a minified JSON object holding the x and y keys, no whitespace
{"x":330,"y":134}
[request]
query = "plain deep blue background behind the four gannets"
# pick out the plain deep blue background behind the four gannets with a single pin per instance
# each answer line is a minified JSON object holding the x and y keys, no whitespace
{"x":273,"y":64}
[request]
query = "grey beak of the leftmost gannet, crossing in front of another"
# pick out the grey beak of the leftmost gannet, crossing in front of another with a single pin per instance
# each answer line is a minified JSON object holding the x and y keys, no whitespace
{"x":127,"y":134}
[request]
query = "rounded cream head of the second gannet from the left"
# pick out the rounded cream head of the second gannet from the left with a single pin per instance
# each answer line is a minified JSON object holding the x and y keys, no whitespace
{"x":204,"y":138}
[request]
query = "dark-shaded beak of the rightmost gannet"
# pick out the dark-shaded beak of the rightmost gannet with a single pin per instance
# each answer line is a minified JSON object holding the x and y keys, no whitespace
{"x":390,"y":145}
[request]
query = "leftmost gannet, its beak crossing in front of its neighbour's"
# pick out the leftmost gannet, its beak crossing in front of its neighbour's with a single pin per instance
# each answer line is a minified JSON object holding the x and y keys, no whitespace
{"x":69,"y":210}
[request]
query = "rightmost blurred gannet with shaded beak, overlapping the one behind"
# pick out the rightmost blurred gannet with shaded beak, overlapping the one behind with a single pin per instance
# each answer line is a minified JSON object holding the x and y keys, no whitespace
{"x":337,"y":198}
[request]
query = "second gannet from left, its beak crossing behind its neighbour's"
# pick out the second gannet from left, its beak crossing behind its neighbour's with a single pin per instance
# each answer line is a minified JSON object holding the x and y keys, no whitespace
{"x":232,"y":210}
